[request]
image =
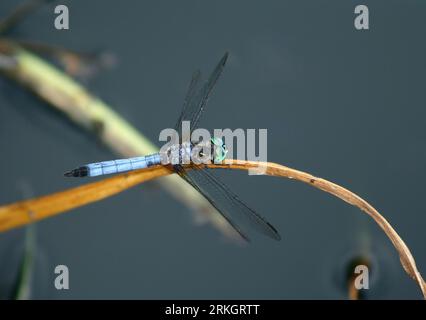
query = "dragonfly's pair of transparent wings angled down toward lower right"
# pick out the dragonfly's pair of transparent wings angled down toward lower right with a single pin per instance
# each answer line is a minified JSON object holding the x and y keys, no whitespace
{"x":236,"y":212}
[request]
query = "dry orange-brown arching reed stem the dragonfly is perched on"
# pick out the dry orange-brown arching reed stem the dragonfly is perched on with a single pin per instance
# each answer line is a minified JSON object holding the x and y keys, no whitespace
{"x":25,"y":212}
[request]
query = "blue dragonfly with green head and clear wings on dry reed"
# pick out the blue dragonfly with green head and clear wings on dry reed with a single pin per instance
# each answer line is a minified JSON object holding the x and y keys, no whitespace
{"x":238,"y":214}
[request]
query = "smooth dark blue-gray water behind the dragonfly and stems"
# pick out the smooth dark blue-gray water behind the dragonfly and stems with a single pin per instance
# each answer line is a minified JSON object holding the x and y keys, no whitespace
{"x":342,"y":104}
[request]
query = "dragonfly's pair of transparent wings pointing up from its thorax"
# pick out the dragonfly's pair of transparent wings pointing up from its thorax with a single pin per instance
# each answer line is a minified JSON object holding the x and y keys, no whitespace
{"x":197,"y":96}
